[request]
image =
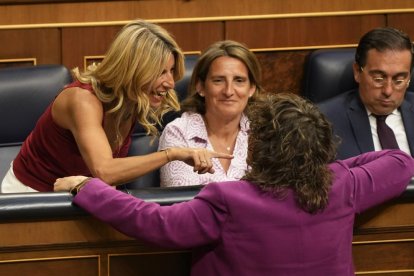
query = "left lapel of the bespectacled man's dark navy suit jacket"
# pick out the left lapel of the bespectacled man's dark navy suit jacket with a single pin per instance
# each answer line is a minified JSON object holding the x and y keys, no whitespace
{"x":359,"y":122}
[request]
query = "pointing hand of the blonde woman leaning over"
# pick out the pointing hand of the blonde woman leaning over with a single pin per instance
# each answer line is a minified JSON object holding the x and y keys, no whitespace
{"x":200,"y":159}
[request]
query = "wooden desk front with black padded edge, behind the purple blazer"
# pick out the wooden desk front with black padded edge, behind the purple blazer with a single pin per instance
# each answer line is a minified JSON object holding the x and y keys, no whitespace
{"x":43,"y":234}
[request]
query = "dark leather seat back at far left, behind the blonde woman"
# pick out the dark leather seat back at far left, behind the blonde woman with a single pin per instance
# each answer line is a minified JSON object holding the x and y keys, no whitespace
{"x":25,"y":92}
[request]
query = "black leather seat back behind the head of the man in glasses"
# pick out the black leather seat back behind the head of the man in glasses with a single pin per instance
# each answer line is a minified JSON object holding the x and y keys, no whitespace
{"x":328,"y":73}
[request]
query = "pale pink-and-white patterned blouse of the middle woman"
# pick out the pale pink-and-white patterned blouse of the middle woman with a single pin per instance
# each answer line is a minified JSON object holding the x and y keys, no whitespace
{"x":190,"y":131}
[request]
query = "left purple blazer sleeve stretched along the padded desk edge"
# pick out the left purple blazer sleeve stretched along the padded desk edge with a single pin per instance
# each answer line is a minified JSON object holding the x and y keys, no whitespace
{"x":162,"y":225}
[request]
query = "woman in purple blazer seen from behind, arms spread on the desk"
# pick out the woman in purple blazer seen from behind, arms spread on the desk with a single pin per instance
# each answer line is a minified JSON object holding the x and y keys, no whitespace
{"x":292,"y":214}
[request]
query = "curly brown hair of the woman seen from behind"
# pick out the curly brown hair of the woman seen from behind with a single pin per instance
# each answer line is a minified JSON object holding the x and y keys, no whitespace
{"x":290,"y":146}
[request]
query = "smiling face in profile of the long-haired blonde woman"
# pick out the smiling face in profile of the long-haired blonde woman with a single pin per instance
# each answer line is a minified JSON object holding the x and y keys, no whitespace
{"x":163,"y":84}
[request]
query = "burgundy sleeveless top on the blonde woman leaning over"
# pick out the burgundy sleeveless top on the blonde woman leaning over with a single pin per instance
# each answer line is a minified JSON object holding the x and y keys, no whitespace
{"x":50,"y":152}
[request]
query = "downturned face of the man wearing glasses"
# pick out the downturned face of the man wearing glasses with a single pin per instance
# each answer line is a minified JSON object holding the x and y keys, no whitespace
{"x":390,"y":65}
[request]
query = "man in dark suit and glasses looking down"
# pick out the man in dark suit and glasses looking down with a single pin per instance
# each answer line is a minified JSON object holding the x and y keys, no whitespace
{"x":383,"y":63}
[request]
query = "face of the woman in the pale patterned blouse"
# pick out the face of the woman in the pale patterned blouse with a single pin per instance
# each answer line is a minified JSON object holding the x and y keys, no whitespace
{"x":226,"y":89}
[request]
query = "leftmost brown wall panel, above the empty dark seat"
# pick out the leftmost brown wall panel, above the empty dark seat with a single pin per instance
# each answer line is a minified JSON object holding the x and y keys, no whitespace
{"x":42,"y":44}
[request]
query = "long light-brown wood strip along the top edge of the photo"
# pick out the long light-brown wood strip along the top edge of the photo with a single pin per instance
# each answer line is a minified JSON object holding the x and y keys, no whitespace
{"x":88,"y":11}
